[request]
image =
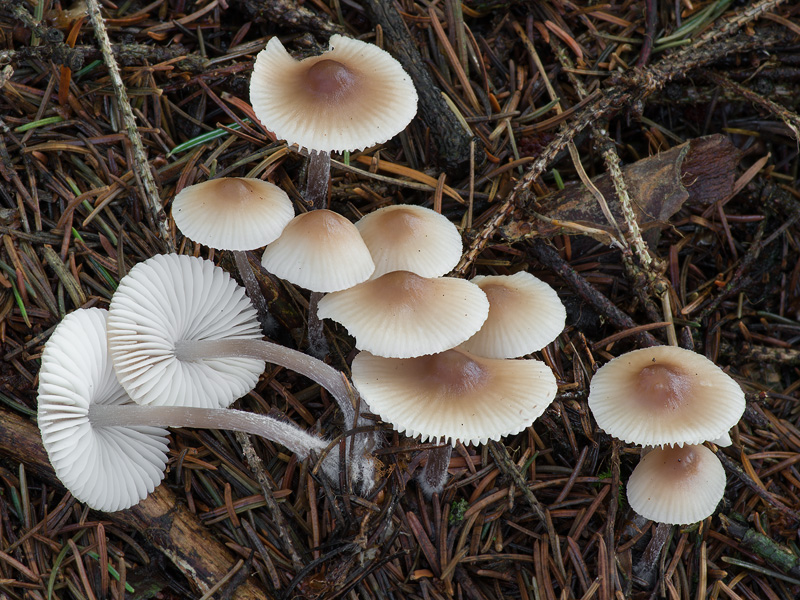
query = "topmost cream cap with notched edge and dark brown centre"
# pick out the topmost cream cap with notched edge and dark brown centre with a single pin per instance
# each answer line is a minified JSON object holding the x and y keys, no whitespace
{"x":351,"y":97}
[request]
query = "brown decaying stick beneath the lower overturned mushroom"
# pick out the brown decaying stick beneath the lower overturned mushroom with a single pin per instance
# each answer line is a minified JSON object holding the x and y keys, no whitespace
{"x":165,"y":522}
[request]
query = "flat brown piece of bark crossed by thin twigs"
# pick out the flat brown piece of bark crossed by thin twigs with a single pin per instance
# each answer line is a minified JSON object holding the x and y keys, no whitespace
{"x":699,"y":173}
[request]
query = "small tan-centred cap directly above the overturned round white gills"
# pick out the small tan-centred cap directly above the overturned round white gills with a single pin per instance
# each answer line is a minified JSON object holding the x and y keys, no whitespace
{"x":232,"y":213}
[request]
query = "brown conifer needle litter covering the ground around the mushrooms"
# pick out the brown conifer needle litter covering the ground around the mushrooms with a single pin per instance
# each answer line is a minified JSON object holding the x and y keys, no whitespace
{"x":529,"y":96}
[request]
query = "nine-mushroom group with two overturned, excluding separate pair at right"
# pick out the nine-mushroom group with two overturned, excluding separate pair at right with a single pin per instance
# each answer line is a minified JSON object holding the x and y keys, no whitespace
{"x":181,"y":342}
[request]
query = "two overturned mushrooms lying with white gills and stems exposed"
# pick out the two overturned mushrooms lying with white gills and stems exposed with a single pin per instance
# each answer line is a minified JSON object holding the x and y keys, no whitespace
{"x":178,"y":345}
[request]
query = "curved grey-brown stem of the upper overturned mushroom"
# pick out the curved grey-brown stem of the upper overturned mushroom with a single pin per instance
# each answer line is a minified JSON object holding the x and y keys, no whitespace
{"x":332,"y":380}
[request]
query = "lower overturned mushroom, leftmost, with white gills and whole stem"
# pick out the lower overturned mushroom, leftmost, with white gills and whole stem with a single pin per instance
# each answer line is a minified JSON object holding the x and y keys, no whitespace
{"x":108,"y":451}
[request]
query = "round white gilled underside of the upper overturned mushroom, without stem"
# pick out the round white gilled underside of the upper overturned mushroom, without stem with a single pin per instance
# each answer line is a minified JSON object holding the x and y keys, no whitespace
{"x":168,"y":299}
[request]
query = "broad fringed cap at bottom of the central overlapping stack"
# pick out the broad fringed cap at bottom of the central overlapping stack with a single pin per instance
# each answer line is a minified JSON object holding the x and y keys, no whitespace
{"x":455,"y":394}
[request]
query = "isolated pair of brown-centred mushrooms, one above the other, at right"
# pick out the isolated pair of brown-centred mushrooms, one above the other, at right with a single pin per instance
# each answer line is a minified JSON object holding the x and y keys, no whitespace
{"x":672,"y":400}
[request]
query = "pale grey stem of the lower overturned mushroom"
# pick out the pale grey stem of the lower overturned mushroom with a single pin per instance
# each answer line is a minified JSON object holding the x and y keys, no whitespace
{"x":294,"y":438}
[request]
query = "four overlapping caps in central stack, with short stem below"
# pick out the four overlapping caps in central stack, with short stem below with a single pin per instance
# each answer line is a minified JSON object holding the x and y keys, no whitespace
{"x":434,"y":349}
